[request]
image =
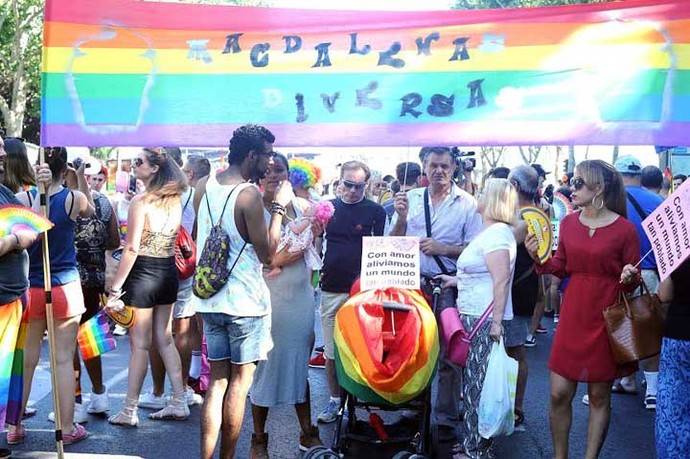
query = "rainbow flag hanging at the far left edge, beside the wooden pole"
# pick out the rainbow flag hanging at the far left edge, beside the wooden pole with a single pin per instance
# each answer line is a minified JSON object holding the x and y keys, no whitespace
{"x":12,"y":337}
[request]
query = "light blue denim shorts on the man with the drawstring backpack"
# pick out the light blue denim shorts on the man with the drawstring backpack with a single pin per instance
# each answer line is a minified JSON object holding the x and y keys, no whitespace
{"x":238,"y":339}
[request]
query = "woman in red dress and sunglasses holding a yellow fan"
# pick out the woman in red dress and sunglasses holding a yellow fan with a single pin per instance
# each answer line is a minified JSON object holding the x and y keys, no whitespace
{"x":597,"y":248}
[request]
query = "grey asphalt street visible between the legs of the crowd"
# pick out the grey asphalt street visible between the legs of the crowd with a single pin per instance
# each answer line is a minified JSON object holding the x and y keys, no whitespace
{"x":631,"y":434}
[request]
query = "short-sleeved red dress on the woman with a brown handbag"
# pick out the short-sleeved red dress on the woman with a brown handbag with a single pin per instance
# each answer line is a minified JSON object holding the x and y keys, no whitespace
{"x":581,"y":350}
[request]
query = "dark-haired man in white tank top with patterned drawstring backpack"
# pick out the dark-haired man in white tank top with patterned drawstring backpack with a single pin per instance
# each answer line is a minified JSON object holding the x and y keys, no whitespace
{"x":232,"y":297}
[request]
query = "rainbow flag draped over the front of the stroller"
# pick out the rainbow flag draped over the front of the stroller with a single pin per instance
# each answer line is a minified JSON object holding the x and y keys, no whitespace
{"x":385,"y":356}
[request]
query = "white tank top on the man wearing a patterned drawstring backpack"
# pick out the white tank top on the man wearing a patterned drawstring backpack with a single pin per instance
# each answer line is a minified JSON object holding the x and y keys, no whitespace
{"x":245,"y":294}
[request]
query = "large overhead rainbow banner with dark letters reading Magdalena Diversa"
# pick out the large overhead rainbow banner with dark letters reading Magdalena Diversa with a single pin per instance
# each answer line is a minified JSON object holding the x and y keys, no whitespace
{"x":126,"y":72}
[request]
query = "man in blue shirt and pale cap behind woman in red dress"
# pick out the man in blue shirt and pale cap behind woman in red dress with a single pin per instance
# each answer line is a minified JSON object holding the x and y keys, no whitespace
{"x":641,"y":203}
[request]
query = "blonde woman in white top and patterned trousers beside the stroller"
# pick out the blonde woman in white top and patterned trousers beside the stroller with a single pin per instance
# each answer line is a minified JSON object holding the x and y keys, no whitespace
{"x":484,"y":276}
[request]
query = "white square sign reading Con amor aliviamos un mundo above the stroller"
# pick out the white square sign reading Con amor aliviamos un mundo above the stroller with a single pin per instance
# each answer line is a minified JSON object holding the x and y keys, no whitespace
{"x":390,"y":262}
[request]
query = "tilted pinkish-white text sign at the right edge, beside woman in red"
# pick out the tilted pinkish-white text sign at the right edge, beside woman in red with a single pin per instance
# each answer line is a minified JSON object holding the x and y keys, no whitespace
{"x":668,"y":230}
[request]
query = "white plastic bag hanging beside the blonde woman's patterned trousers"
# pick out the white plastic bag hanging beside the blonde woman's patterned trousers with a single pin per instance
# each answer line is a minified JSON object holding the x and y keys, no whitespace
{"x":497,"y":400}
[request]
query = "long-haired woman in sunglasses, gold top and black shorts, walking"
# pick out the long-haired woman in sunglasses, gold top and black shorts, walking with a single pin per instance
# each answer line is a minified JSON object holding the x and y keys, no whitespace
{"x":147,"y":280}
